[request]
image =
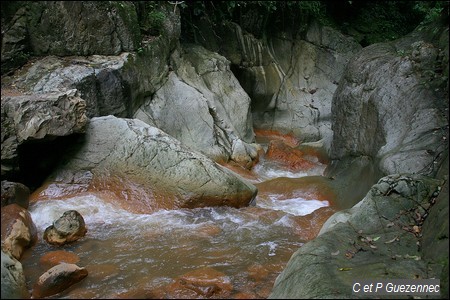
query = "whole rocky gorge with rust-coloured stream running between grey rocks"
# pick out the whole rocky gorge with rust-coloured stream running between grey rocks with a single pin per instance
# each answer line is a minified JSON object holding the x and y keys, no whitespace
{"x":229,"y":164}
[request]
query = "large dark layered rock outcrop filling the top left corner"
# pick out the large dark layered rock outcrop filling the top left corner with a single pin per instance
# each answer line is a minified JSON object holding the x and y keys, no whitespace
{"x":112,"y":80}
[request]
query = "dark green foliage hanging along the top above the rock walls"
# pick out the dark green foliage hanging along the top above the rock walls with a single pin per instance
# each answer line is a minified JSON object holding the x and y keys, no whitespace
{"x":368,"y":21}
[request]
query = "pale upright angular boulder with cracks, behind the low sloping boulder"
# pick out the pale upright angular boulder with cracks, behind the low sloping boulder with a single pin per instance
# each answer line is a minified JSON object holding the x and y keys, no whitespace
{"x":202,"y":98}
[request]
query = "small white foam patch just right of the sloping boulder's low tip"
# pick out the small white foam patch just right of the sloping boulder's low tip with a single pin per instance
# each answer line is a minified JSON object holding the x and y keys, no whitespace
{"x":294,"y":206}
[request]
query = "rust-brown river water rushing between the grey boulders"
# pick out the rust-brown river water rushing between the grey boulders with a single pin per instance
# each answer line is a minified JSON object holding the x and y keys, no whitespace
{"x":217,"y":252}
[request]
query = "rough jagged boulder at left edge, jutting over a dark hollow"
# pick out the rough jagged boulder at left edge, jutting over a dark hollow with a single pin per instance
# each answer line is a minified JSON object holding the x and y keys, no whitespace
{"x":41,"y":117}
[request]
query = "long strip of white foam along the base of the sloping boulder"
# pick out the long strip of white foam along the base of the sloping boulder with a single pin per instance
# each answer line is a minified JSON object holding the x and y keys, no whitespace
{"x":99,"y":215}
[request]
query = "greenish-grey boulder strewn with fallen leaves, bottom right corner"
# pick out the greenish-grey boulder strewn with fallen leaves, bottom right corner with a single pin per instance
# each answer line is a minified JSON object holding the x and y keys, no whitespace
{"x":380,"y":237}
